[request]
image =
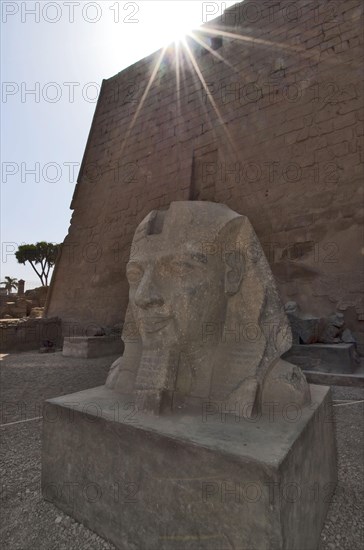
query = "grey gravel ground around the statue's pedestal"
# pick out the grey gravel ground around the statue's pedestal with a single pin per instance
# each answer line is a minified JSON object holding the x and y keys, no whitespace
{"x":30,"y":523}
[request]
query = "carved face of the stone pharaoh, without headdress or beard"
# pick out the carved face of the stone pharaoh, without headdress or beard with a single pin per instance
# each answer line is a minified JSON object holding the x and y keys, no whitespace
{"x":175,"y":293}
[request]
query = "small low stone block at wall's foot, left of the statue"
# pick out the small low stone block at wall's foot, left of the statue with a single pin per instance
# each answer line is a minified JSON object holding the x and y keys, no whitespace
{"x":92,"y":346}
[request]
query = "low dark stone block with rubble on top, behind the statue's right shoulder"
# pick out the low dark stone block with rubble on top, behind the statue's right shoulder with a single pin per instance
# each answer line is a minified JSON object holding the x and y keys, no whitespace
{"x":338,"y":358}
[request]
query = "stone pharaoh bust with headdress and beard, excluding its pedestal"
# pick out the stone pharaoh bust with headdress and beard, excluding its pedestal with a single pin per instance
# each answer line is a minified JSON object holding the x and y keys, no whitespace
{"x":204,"y":321}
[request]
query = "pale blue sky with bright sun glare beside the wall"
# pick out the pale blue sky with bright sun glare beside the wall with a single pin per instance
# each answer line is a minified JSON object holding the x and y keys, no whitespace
{"x":61,"y":51}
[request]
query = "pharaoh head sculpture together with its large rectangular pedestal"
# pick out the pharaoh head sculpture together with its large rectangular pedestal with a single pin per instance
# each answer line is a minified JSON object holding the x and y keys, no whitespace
{"x":198,"y":411}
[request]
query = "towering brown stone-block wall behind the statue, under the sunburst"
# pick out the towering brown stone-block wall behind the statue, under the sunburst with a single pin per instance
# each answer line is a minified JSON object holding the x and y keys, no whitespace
{"x":275,"y":132}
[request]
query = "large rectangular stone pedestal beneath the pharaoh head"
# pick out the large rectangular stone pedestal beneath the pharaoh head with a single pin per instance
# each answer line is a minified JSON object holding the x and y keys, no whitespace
{"x":210,"y":481}
